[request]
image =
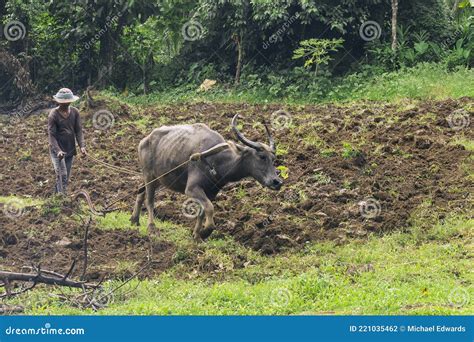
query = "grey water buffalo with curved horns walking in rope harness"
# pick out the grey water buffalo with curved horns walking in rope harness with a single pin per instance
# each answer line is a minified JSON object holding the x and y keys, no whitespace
{"x":201,"y":179}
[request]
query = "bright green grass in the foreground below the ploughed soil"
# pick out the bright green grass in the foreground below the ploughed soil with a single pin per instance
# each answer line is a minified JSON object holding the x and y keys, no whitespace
{"x":414,"y":272}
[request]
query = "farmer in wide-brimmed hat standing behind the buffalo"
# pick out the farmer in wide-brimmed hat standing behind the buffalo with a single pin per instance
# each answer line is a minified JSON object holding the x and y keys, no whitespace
{"x":64,"y":128}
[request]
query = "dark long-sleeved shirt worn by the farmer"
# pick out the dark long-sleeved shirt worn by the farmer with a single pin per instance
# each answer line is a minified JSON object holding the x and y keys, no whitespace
{"x":63,"y":132}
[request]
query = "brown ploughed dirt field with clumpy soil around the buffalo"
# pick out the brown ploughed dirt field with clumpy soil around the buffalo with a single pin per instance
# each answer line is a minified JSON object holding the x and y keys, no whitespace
{"x":338,"y":158}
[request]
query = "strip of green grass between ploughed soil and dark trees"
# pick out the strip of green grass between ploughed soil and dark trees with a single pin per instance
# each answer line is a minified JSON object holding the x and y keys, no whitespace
{"x":424,"y":81}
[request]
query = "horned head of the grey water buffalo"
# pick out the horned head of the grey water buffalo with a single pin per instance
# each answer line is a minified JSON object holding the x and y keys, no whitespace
{"x":260,"y":158}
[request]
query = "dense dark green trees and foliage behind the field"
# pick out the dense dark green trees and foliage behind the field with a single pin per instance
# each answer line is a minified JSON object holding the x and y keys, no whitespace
{"x":141,"y":46}
